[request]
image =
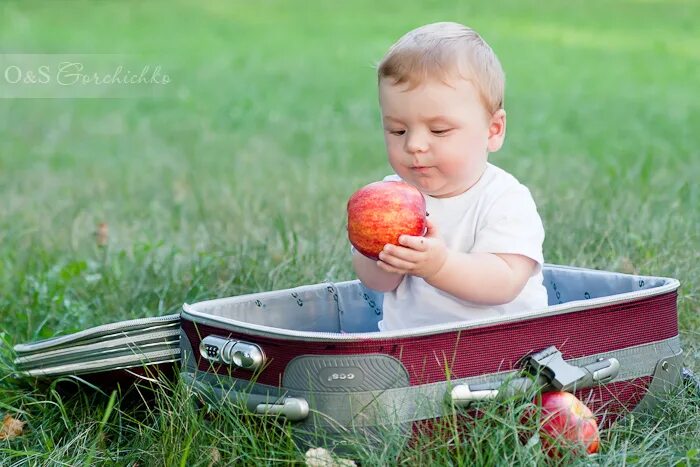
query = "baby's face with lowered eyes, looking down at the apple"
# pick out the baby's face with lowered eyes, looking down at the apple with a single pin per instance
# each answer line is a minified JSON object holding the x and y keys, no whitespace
{"x":437,"y":134}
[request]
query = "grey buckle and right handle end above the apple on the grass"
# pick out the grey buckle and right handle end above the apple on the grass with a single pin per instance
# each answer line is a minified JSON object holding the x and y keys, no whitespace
{"x":566,"y":377}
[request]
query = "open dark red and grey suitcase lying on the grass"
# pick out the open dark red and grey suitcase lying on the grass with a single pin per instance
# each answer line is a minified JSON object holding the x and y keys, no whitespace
{"x":313,"y":355}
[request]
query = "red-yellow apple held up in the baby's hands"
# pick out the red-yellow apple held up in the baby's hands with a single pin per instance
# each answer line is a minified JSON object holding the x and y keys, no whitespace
{"x":381,"y":212}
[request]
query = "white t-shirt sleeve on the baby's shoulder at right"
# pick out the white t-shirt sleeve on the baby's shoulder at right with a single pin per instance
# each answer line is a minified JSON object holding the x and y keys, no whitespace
{"x":512,"y":225}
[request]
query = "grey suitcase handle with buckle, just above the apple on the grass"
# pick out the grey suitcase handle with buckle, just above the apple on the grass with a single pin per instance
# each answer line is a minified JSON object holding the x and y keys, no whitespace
{"x":548,"y":370}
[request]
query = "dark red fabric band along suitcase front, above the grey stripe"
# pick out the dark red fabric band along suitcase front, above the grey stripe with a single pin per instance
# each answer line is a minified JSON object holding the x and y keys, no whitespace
{"x":476,"y":351}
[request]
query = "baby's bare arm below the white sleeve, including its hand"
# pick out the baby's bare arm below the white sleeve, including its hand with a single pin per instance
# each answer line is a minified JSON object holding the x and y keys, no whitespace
{"x":484,"y":278}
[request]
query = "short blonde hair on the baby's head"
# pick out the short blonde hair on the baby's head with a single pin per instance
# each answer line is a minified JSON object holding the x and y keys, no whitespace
{"x":441,"y":50}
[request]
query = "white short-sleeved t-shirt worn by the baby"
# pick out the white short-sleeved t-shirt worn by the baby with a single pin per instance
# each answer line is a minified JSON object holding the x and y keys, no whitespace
{"x":496,"y":215}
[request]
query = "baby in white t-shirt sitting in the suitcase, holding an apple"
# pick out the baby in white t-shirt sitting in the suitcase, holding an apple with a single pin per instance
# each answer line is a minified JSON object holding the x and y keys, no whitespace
{"x":441,"y":90}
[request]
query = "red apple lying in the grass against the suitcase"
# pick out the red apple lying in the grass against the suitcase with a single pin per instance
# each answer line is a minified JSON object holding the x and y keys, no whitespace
{"x":567,"y":424}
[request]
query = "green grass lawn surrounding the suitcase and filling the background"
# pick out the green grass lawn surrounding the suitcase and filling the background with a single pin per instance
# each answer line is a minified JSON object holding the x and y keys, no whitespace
{"x":236,"y":180}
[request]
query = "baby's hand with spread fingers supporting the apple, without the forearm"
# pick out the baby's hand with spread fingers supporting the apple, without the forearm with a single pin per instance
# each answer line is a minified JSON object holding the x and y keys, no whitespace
{"x":418,"y":256}
